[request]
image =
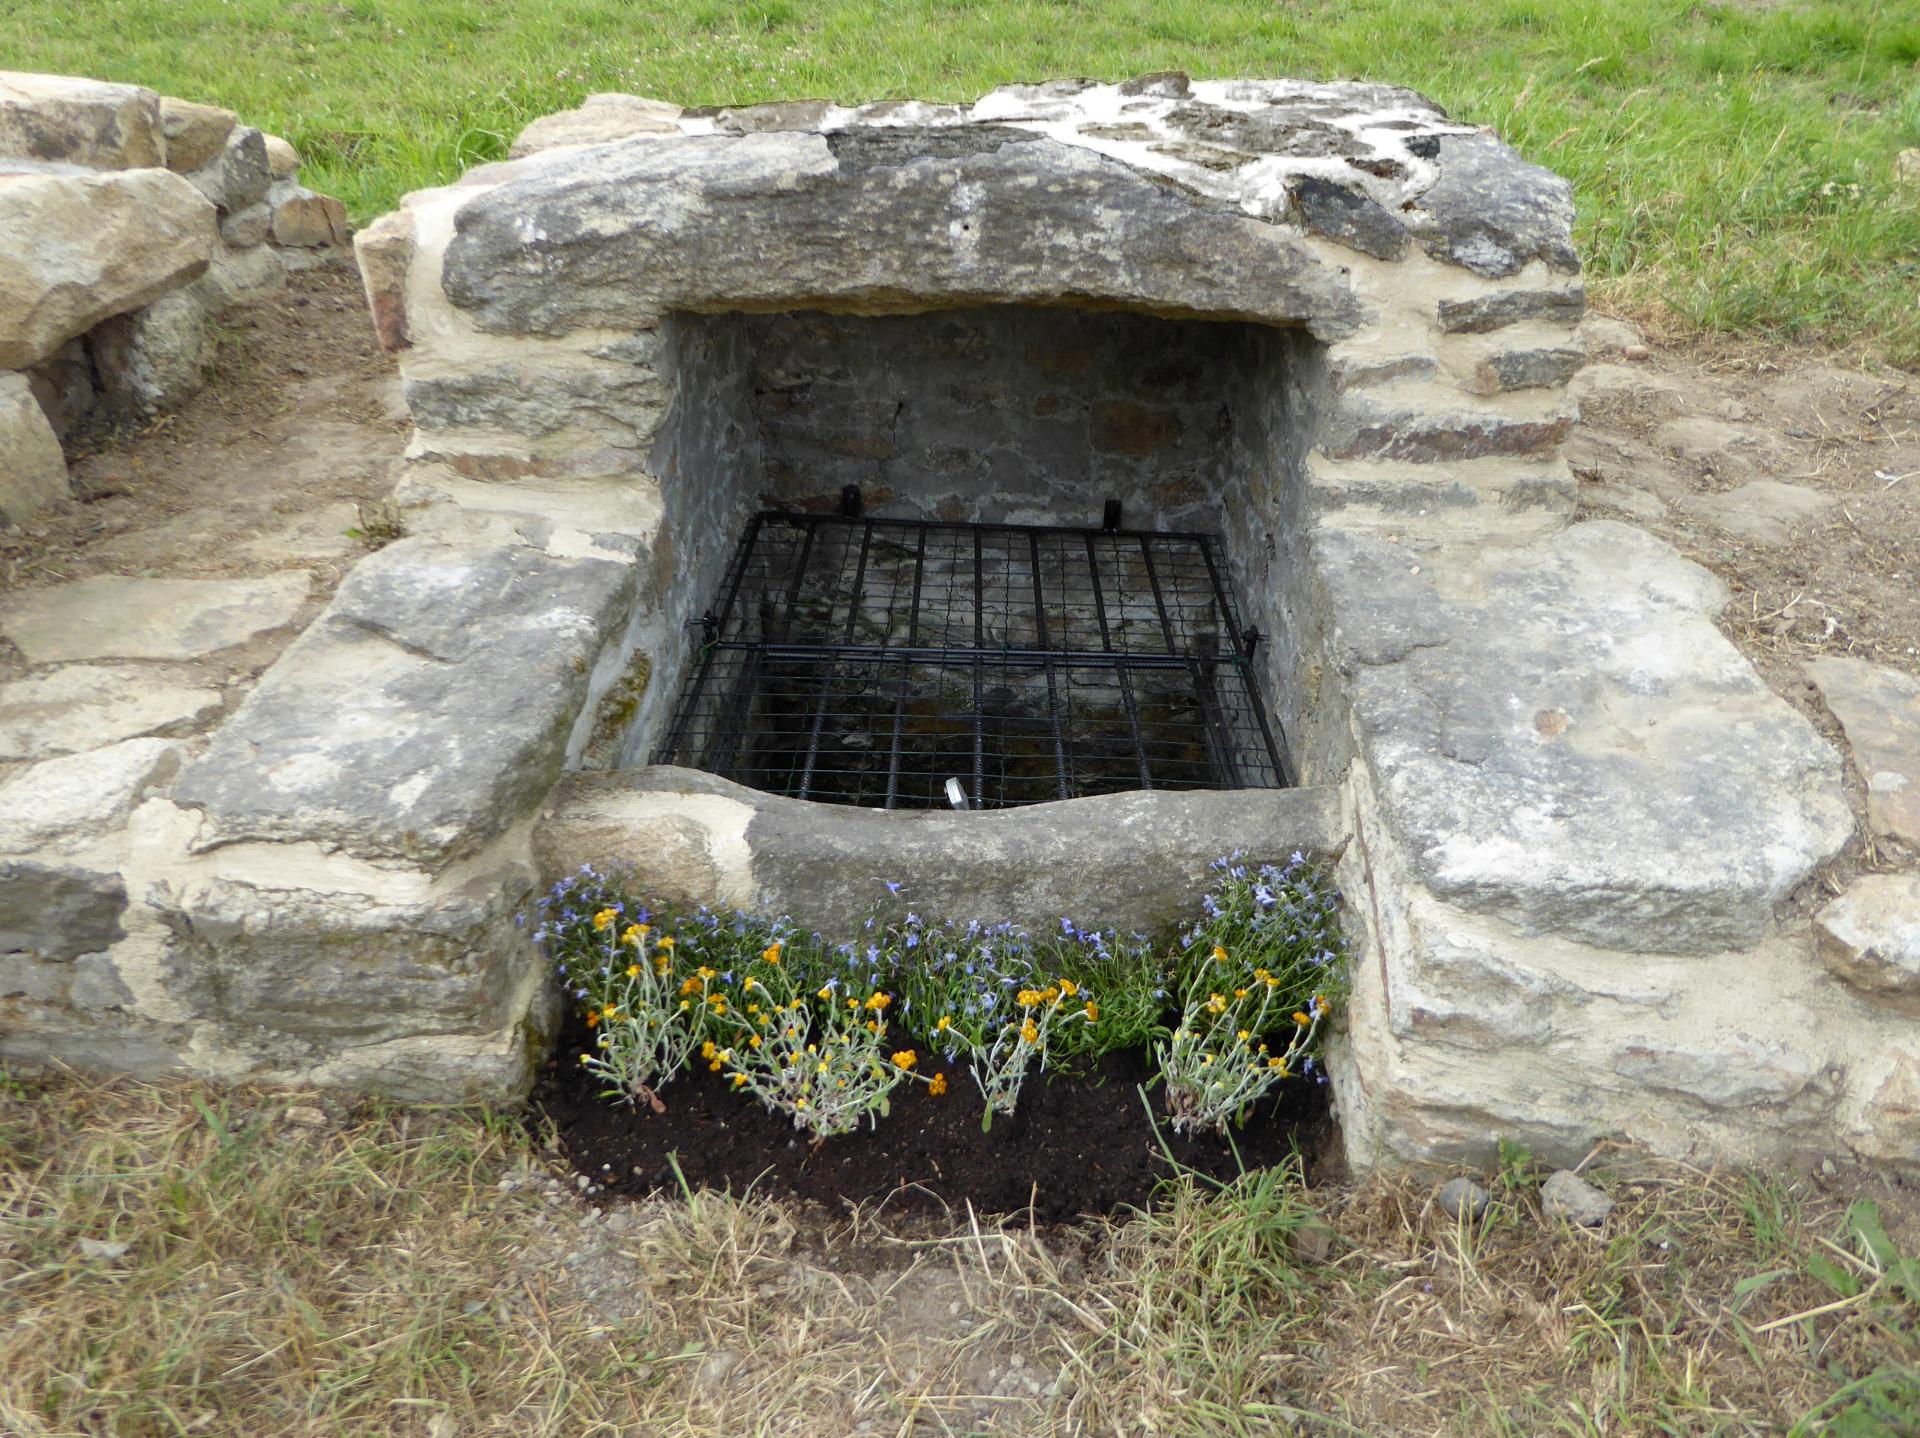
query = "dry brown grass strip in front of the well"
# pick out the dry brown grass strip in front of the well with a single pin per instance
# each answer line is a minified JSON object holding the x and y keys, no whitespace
{"x":383,"y":1272}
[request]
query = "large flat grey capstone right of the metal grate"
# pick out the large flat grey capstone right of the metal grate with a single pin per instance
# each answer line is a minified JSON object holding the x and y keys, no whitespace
{"x":1562,"y":738}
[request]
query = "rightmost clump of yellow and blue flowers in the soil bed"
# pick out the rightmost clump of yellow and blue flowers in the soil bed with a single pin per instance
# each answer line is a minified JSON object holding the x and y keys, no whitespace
{"x":1259,"y":976}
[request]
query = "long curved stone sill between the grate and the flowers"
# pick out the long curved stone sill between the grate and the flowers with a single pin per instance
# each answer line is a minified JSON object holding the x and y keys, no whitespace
{"x":1136,"y":861}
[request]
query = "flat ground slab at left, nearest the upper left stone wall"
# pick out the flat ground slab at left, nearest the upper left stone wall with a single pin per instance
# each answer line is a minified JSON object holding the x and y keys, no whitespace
{"x":114,"y":617}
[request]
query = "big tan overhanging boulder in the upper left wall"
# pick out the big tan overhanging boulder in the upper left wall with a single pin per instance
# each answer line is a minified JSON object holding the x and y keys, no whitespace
{"x":89,"y":247}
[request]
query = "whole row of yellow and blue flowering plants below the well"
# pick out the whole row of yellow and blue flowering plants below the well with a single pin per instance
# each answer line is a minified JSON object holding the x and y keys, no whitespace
{"x":828,"y":1032}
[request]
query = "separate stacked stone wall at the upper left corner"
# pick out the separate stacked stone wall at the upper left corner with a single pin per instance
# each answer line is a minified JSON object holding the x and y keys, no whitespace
{"x":128,"y":220}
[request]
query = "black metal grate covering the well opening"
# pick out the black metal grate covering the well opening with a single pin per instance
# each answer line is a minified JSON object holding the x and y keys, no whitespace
{"x":863,"y":661}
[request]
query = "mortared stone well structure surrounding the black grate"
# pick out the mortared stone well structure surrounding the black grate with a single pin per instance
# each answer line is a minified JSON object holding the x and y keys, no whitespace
{"x":1322,"y":322}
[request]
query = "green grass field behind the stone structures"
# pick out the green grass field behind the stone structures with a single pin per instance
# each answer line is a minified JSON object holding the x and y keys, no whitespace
{"x":1733,"y":160}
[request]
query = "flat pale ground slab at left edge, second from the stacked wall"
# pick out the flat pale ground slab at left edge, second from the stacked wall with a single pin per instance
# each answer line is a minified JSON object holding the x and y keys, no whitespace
{"x":91,"y":706}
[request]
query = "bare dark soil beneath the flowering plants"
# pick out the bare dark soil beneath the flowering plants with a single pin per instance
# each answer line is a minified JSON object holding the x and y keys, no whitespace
{"x":1078,"y":1143}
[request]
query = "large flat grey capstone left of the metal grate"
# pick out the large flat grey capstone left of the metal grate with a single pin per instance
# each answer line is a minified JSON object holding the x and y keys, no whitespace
{"x":423,"y":711}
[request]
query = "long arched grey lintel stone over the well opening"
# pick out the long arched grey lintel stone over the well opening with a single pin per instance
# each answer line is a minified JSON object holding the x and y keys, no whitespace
{"x":852,"y":220}
